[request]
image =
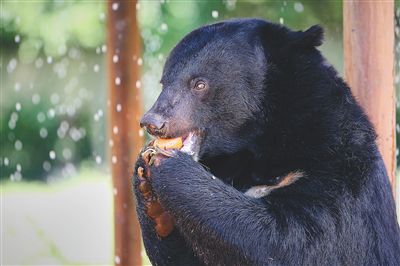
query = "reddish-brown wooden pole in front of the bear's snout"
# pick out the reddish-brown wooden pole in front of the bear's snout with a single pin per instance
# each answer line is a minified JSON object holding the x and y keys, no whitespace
{"x":124,"y":109}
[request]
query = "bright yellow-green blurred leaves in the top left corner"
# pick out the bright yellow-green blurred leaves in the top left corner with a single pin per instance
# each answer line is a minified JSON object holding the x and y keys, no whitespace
{"x":51,"y":26}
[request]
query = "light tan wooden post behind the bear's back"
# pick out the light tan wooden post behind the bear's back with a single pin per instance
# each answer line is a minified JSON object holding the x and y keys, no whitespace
{"x":369,"y":68}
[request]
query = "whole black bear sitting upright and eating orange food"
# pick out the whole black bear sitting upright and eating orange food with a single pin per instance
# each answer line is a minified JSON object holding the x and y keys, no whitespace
{"x":279,"y":164}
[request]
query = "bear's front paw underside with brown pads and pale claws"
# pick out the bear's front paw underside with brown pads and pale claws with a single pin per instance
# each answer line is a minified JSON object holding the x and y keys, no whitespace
{"x":152,"y":157}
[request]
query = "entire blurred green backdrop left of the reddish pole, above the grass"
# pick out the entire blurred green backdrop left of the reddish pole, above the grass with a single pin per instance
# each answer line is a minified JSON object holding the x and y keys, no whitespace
{"x":52,"y":67}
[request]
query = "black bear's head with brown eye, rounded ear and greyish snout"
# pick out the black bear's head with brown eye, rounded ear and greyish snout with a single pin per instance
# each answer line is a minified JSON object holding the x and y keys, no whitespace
{"x":216,"y":84}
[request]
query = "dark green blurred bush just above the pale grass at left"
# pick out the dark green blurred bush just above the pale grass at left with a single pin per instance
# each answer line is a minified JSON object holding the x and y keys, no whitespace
{"x":38,"y":142}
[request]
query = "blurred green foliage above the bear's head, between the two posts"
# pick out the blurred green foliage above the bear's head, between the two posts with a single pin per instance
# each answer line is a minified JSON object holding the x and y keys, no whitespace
{"x":163,"y":24}
